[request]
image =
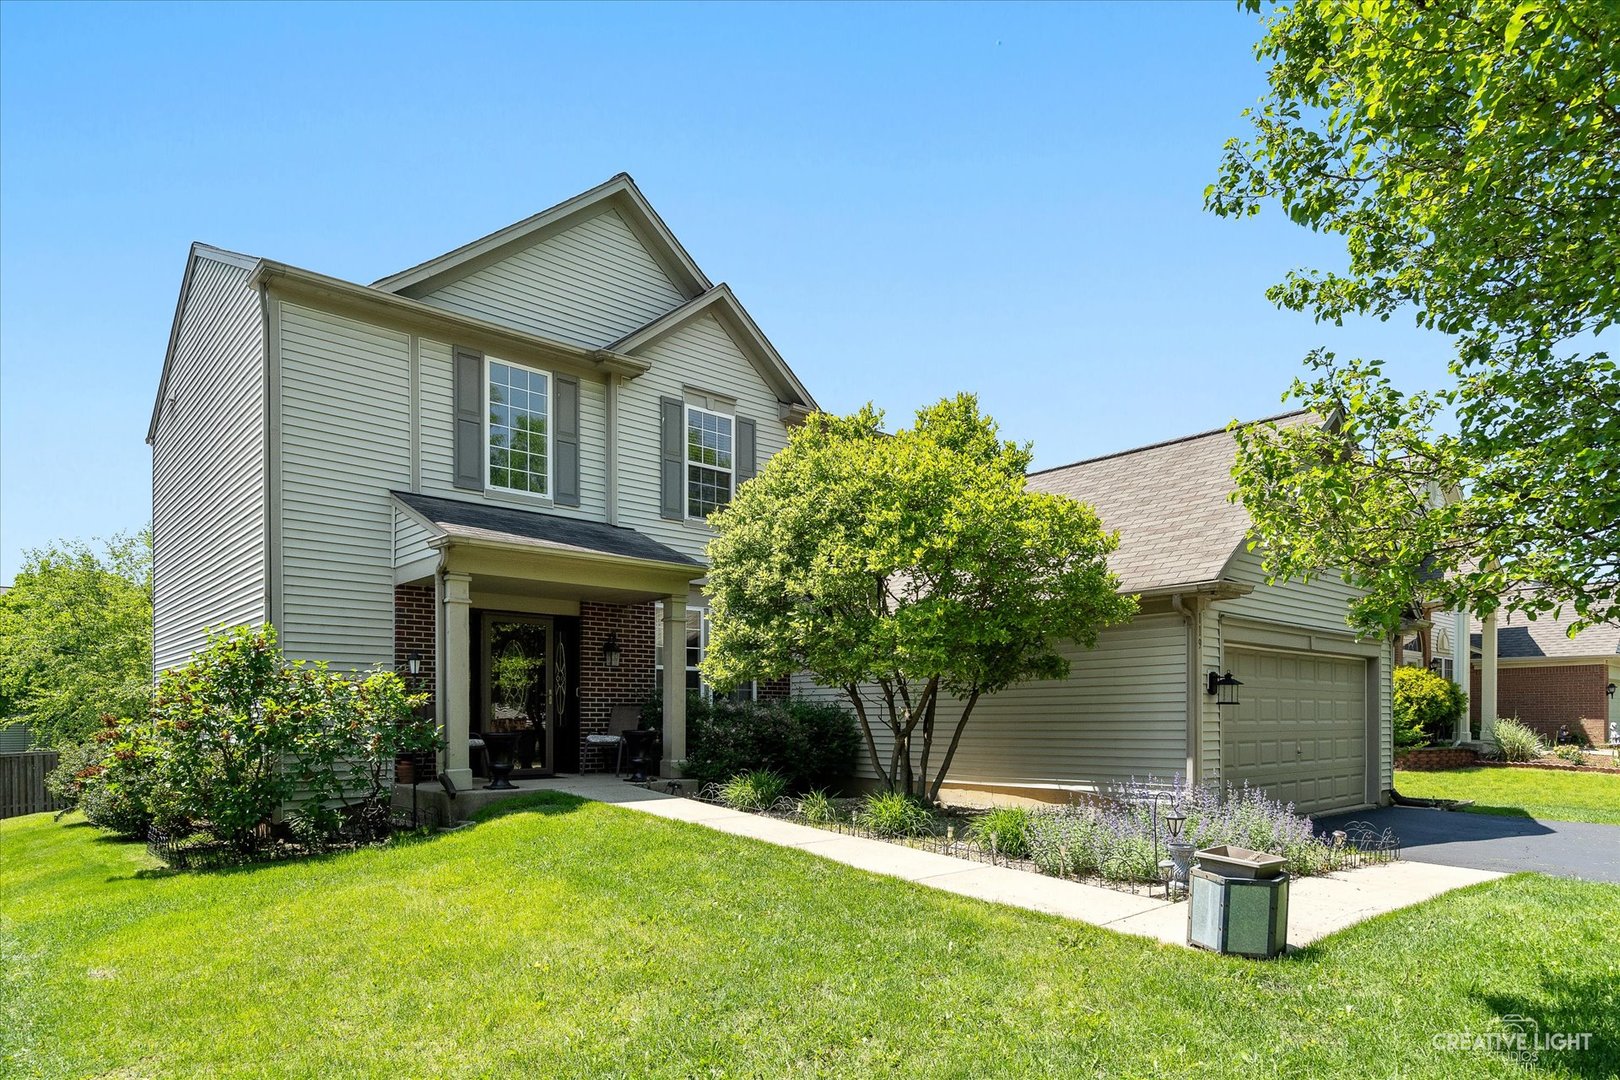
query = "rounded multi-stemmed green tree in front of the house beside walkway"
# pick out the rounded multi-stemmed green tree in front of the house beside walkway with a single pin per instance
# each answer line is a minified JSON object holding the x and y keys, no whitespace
{"x":914,"y":566}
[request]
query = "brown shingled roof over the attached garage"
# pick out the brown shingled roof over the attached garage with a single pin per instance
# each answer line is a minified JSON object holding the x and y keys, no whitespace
{"x":1170,"y":504}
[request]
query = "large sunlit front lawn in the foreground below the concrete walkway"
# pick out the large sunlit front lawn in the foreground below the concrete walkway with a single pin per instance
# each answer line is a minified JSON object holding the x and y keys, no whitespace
{"x":568,"y":940}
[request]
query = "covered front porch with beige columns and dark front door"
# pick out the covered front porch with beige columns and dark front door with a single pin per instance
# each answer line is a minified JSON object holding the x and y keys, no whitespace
{"x":532,"y":632}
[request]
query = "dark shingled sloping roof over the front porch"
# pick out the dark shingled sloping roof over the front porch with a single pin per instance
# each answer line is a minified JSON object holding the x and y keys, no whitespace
{"x":459,"y":519}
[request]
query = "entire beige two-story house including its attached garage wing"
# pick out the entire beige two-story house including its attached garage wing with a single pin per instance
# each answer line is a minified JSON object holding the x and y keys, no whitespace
{"x":493,"y":470}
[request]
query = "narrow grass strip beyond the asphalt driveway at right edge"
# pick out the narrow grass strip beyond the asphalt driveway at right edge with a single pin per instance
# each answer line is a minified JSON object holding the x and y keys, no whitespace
{"x":1543,"y":794}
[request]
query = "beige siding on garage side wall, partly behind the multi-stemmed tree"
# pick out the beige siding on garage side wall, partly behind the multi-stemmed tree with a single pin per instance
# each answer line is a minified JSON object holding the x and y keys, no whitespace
{"x":1122,"y":713}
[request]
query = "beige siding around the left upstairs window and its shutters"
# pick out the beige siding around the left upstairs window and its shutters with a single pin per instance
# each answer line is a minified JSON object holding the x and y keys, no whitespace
{"x":438,"y":462}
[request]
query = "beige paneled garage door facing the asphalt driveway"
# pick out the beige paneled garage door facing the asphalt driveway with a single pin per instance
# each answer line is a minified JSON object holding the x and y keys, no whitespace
{"x":1300,"y":729}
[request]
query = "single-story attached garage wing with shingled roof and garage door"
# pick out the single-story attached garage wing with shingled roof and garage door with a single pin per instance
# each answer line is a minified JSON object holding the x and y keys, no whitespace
{"x":1313,"y":715}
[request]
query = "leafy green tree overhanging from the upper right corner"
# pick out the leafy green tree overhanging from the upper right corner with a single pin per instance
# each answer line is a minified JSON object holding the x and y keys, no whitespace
{"x":1469,"y":151}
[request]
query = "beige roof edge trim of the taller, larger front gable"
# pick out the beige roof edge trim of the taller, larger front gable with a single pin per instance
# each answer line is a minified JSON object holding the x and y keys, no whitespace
{"x":620,"y":193}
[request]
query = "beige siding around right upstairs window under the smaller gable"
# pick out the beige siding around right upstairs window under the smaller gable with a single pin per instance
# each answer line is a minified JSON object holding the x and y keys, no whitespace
{"x":697,"y":359}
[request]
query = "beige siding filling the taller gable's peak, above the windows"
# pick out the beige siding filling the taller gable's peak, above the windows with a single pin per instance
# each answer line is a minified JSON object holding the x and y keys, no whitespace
{"x":590,"y":284}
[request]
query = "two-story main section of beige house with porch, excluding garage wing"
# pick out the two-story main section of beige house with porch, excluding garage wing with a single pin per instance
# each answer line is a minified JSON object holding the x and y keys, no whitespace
{"x":492,"y":467}
